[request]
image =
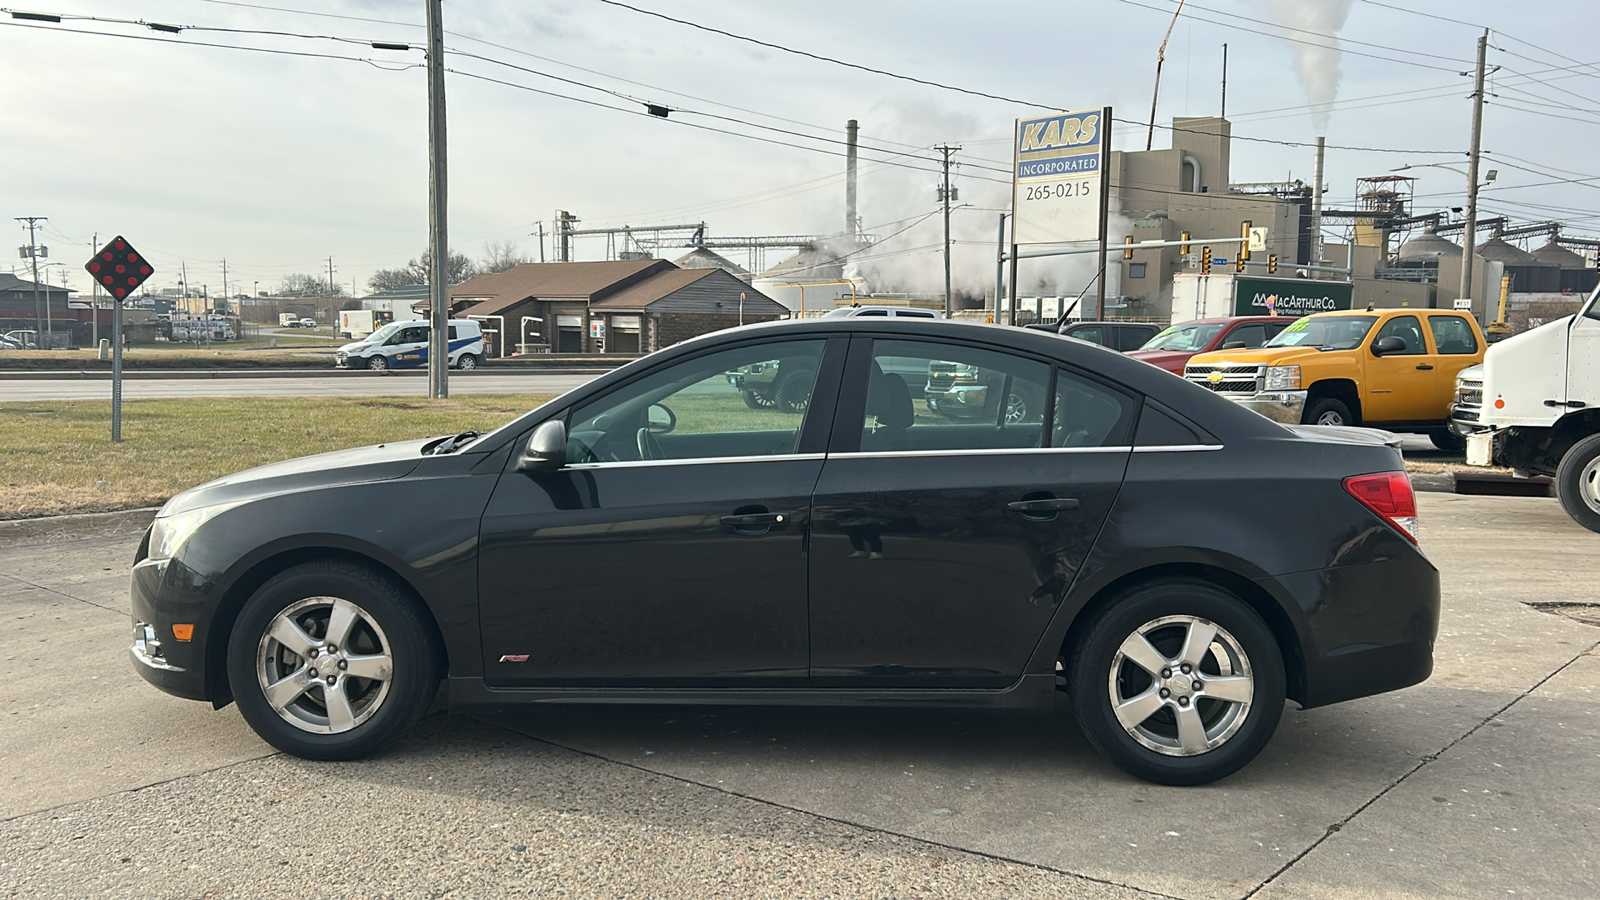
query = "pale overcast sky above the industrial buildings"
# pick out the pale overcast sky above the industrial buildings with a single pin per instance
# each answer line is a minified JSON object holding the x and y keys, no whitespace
{"x":278,"y":163}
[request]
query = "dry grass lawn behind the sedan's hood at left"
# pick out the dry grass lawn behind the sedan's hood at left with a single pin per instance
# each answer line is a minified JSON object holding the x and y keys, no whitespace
{"x":58,"y":459}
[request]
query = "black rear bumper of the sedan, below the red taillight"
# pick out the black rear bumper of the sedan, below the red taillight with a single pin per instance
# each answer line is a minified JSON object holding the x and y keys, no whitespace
{"x":1372,"y":627}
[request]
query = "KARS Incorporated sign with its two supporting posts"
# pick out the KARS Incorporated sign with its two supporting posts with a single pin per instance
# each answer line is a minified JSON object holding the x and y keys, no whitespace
{"x":1062,"y":187}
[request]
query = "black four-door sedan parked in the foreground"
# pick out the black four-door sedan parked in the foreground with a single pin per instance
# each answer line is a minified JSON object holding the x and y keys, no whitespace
{"x":1087,"y":524}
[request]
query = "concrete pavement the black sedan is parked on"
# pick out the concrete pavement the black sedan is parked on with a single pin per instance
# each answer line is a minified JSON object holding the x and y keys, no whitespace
{"x":1476,"y":784}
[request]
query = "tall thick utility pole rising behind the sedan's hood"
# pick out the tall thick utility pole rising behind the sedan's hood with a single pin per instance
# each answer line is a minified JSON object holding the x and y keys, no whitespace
{"x":439,"y":209}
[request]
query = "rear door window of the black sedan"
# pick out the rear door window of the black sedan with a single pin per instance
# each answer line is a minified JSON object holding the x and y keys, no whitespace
{"x":932,"y":396}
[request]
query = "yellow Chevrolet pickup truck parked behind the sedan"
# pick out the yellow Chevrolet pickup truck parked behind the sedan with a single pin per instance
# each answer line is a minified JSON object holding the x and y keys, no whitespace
{"x":1393,"y":369}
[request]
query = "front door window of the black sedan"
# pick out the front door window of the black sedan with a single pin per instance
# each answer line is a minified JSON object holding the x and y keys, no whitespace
{"x":740,"y":403}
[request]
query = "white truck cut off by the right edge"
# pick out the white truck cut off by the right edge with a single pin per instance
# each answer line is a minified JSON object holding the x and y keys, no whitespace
{"x":1535,"y":406}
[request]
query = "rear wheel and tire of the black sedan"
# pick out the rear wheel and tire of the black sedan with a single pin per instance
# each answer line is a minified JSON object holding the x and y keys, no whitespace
{"x":1185,"y":736}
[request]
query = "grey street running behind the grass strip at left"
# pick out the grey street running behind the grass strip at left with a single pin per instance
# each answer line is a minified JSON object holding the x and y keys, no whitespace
{"x":356,"y":385}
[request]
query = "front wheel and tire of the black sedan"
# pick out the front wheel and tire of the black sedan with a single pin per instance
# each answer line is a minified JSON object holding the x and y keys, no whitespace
{"x":281,"y":661}
